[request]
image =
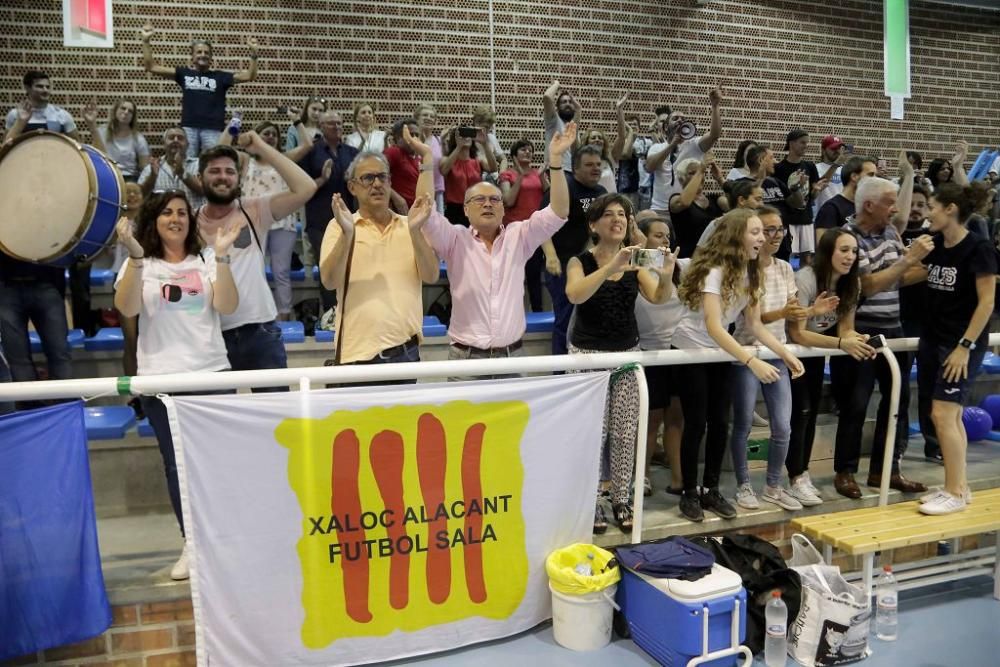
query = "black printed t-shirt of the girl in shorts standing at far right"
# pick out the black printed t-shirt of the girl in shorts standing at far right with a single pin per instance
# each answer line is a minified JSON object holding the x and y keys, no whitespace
{"x":951,"y":286}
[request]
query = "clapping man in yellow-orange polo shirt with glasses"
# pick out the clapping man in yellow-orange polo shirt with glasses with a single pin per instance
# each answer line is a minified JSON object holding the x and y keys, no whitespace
{"x":376,"y":260}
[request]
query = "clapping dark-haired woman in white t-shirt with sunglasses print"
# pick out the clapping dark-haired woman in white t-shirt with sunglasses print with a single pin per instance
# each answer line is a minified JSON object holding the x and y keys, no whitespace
{"x":178,"y":291}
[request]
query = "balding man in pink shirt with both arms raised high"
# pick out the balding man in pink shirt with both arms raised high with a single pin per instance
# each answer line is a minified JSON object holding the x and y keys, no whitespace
{"x":486,"y":260}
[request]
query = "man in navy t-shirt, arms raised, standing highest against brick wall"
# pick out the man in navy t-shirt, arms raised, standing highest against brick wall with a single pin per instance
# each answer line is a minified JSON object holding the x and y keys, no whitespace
{"x":203,"y":100}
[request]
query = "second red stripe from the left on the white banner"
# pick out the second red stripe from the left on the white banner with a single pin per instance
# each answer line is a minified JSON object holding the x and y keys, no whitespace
{"x":386,"y":454}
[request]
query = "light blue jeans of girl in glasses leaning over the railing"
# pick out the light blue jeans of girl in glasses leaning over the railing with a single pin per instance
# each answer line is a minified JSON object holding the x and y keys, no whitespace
{"x":778,"y":397}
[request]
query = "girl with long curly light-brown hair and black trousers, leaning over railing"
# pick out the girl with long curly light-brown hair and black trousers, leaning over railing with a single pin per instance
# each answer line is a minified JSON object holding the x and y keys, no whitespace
{"x":722,"y":281}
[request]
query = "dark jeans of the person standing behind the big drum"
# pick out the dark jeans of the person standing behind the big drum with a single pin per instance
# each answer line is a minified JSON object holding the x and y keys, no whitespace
{"x":44,"y":306}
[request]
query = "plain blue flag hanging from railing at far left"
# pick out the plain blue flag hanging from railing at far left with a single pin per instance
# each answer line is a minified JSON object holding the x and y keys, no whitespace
{"x":51,"y":586}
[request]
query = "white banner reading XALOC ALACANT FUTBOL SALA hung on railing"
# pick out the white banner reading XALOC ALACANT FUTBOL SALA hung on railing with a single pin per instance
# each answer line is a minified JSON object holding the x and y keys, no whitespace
{"x":358,"y":525}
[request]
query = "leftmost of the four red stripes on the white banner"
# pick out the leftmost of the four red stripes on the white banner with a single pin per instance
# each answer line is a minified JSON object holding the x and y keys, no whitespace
{"x":345,"y":501}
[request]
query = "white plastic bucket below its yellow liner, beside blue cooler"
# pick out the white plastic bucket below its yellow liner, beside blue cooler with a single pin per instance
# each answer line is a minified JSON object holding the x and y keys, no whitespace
{"x":583,"y":622}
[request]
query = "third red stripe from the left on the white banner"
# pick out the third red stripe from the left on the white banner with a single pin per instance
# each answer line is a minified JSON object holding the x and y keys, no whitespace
{"x":432,"y":458}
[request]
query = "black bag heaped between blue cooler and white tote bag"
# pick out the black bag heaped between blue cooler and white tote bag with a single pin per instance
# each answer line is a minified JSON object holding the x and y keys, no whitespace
{"x":760,"y":565}
